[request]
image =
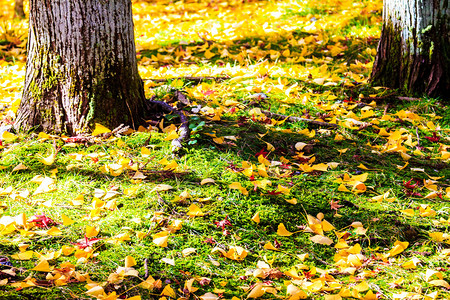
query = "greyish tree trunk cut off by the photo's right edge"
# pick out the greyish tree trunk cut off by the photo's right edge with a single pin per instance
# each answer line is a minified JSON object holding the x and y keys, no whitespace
{"x":414,"y":49}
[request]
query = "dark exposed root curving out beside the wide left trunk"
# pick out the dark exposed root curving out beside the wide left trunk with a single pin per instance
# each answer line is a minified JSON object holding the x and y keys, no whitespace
{"x":183,"y":131}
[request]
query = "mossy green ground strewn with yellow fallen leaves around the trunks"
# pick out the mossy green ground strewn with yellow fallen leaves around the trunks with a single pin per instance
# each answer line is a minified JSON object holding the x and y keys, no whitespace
{"x":355,"y":205}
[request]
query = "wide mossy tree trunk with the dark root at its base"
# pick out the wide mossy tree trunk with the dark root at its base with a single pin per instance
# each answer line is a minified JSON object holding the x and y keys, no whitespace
{"x":81,"y":67}
